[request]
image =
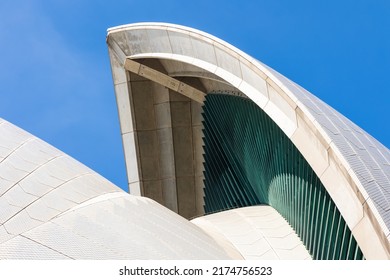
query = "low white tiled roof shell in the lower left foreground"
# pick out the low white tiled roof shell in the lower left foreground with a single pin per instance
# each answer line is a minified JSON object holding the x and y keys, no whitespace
{"x":53,"y":207}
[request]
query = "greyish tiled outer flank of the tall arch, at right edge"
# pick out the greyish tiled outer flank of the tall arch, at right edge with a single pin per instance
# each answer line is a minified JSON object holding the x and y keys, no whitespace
{"x":367,"y":158}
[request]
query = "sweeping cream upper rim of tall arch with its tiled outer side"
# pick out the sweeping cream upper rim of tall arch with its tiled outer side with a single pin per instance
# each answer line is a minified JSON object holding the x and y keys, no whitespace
{"x":352,"y":165}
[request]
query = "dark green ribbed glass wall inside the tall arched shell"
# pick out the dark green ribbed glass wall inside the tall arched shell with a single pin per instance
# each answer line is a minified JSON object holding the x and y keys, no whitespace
{"x":248,"y":160}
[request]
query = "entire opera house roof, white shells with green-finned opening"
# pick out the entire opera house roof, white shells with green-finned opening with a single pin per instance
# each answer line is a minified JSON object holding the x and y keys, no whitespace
{"x":226,"y":159}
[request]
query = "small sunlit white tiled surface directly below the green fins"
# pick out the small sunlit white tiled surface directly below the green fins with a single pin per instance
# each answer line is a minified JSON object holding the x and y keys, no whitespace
{"x":257,"y":233}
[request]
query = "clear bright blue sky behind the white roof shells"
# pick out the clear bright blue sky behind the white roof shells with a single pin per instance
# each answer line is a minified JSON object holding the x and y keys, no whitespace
{"x":55,"y":76}
